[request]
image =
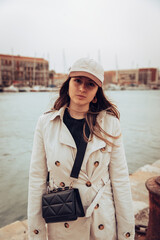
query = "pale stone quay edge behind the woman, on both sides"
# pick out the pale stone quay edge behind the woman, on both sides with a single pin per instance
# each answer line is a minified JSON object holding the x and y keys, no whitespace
{"x":18,"y":230}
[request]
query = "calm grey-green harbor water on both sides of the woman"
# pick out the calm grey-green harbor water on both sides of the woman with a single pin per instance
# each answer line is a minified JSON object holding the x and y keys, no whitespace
{"x":140,"y":123}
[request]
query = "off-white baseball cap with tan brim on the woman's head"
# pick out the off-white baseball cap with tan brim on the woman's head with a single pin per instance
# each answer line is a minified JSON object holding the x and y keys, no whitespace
{"x":87,"y":67}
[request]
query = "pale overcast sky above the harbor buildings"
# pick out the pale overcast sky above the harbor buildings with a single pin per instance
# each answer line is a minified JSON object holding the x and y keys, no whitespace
{"x":119,"y":34}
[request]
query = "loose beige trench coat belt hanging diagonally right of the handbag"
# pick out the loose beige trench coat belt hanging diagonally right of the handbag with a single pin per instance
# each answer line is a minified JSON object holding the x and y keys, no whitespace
{"x":90,"y":209}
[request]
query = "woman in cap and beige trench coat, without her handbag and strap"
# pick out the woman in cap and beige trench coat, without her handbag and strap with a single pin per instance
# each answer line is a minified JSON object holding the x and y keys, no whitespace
{"x":103,"y":180}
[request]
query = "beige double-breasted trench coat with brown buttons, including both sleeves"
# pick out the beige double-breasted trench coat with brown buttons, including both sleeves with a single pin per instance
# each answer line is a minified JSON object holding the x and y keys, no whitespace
{"x":107,"y":202}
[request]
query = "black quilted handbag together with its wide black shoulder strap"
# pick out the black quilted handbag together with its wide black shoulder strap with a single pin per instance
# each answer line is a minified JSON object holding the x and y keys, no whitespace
{"x":64,"y":204}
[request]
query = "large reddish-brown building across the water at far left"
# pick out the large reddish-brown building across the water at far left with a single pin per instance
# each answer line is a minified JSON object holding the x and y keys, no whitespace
{"x":23,"y":71}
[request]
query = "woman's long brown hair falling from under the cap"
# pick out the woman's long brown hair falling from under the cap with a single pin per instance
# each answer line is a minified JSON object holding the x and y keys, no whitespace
{"x":94,"y":109}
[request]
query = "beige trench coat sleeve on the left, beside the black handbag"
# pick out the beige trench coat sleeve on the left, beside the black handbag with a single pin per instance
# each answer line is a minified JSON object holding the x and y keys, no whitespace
{"x":37,"y":186}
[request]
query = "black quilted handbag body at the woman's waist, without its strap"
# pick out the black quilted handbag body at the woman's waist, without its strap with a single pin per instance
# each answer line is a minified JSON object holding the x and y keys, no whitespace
{"x":62,"y":205}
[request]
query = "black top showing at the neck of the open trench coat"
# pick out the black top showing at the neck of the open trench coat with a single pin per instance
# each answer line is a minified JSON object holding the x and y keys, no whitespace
{"x":75,"y":127}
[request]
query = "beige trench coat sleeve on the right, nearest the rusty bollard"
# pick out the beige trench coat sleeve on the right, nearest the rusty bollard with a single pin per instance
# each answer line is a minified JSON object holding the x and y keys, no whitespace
{"x":119,"y":176}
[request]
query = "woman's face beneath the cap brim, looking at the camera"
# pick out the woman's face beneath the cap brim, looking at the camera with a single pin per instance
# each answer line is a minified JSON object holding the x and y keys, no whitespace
{"x":82,"y":90}
